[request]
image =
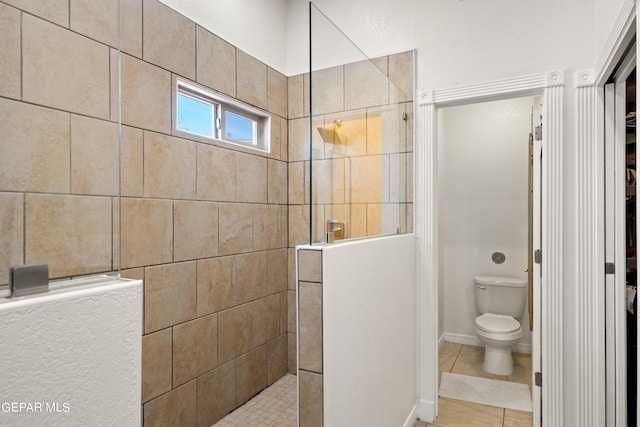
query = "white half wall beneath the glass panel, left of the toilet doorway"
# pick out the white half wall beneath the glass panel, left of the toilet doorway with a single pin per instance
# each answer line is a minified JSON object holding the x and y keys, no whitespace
{"x":369,"y":332}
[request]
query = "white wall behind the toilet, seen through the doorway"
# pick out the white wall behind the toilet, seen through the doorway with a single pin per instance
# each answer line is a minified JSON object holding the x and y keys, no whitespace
{"x":483,"y":156}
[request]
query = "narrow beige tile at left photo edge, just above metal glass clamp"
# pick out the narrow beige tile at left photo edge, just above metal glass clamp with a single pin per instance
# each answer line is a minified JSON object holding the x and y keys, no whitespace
{"x":11,"y":233}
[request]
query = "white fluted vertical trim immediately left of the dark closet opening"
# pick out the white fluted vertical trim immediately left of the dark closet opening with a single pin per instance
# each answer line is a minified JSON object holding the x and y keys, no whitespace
{"x":590,"y":260}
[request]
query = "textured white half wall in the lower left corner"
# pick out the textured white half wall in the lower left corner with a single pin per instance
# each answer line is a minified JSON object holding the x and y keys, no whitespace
{"x":72,"y":356}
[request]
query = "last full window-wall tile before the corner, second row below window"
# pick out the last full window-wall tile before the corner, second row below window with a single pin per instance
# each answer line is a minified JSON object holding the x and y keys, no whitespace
{"x":269,"y":227}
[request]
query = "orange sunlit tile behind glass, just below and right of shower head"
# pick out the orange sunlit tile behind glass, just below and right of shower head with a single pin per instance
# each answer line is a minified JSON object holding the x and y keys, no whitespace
{"x":365,"y":170}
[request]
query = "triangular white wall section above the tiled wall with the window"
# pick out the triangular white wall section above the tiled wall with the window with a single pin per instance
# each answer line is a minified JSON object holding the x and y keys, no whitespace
{"x":257,"y":27}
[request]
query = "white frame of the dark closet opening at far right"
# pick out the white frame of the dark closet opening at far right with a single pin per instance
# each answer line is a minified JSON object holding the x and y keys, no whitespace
{"x":618,"y":59}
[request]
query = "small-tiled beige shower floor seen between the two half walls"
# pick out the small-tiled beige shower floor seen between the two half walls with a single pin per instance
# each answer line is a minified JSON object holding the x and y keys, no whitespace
{"x":275,"y":406}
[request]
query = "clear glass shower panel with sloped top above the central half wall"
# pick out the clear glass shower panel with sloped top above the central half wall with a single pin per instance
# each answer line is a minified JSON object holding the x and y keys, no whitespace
{"x":360,"y":141}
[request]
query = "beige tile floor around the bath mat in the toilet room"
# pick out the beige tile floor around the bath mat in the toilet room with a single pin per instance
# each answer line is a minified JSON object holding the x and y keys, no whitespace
{"x":467,"y":360}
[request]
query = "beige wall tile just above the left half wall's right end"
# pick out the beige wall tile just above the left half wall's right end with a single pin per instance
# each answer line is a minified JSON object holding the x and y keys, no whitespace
{"x":147,"y":232}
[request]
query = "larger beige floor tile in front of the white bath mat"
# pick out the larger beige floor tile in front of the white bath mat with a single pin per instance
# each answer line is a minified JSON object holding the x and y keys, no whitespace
{"x":453,"y":413}
